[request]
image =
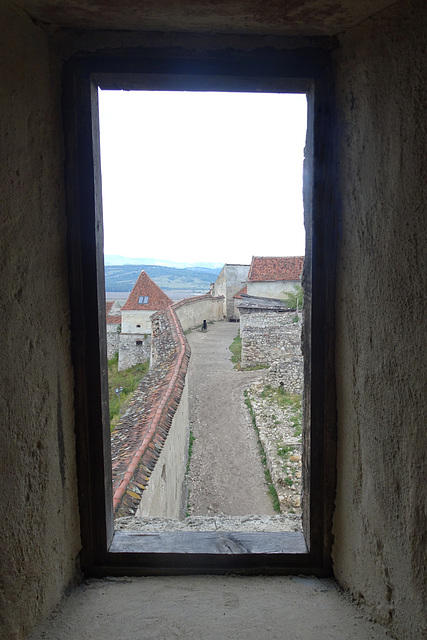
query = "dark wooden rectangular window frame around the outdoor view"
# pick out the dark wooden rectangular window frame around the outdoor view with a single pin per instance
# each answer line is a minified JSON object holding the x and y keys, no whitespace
{"x":105,"y":552}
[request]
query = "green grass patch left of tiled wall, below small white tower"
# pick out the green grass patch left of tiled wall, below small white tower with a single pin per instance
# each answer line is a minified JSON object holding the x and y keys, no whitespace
{"x":129,"y":379}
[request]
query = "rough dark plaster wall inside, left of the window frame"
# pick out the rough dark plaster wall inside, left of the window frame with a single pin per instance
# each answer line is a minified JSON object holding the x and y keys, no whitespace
{"x":38,"y":502}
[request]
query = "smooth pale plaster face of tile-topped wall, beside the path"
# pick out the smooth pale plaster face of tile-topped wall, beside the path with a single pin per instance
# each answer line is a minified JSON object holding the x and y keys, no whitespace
{"x":164,"y":496}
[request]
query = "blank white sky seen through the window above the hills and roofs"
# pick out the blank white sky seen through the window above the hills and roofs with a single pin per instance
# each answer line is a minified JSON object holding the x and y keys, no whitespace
{"x":202,"y":176}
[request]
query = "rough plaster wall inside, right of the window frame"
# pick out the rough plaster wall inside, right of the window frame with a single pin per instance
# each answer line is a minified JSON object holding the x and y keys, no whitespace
{"x":380,"y":518}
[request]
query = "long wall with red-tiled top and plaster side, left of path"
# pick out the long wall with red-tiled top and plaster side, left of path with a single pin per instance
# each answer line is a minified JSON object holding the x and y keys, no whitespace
{"x":155,"y":429}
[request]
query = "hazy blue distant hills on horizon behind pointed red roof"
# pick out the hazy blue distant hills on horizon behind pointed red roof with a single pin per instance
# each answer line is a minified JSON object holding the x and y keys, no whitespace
{"x":189,"y":280}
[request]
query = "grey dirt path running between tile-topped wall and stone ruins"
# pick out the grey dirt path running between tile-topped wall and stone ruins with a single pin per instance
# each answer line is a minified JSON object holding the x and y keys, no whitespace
{"x":226,"y":474}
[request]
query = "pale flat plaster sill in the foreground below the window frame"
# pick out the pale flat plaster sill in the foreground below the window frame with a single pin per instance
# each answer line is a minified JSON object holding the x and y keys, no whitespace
{"x":208,"y":608}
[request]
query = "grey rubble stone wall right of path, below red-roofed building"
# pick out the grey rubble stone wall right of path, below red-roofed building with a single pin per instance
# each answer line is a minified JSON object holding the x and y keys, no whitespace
{"x":269,"y":335}
